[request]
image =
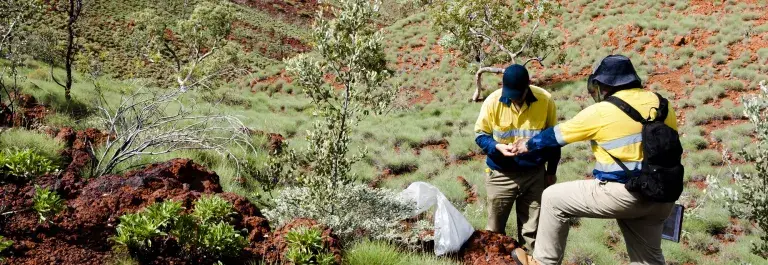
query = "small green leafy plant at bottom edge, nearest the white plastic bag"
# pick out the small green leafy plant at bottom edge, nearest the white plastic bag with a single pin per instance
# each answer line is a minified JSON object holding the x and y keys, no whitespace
{"x":305,"y":246}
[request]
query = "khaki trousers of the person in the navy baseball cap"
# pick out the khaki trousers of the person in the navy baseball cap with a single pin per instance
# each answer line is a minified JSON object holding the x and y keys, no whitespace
{"x":523,"y":187}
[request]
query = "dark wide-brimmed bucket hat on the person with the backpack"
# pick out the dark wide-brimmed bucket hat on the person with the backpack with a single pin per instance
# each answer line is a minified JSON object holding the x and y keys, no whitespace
{"x":615,"y":71}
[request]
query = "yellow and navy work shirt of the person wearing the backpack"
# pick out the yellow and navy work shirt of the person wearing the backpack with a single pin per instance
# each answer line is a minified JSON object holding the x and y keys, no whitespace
{"x":609,"y":129}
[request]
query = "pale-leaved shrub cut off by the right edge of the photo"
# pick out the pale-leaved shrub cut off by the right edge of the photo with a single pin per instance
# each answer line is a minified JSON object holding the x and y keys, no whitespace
{"x":752,"y":186}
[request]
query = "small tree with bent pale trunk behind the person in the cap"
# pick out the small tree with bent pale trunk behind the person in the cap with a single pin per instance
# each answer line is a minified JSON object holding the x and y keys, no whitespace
{"x":489,"y":32}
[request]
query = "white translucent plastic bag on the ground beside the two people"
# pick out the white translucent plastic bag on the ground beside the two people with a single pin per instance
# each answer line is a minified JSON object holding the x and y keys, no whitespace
{"x":451,"y":228}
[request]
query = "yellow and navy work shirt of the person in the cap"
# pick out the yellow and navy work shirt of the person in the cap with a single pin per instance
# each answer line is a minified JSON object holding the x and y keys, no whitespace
{"x":499,"y":122}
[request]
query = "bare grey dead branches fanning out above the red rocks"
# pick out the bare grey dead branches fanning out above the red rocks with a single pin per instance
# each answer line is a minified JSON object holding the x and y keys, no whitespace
{"x":148,"y":124}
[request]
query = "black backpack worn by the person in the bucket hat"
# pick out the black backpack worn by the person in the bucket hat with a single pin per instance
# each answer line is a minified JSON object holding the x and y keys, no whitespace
{"x":661,"y":177}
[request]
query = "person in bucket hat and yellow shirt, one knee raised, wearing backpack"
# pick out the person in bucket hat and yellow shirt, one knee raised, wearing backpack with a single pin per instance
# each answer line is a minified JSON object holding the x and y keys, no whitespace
{"x":612,"y":133}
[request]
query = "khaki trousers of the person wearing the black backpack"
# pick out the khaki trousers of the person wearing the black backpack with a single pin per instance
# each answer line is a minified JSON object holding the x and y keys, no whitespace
{"x":640,"y":221}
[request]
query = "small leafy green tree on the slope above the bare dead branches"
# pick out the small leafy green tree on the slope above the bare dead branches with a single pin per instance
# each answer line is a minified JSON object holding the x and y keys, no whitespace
{"x":194,"y":47}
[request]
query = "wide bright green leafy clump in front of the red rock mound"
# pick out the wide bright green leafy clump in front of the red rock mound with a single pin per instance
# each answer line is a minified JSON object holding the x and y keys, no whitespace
{"x":206,"y":231}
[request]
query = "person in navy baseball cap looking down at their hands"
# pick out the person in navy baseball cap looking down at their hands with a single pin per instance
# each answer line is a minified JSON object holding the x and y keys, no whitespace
{"x":516,"y":111}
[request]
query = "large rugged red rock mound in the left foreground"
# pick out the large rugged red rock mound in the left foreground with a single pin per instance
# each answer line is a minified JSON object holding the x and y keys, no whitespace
{"x":80,"y":234}
